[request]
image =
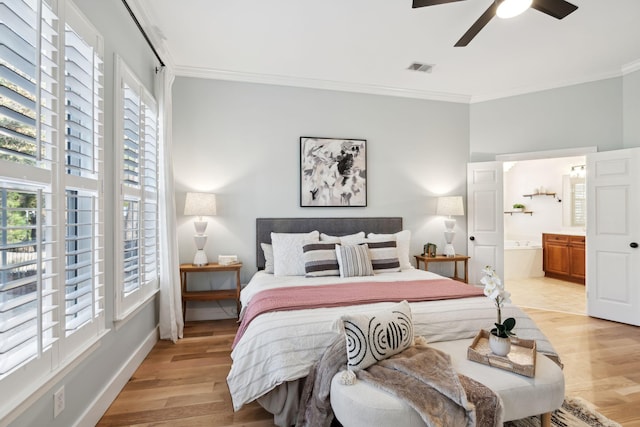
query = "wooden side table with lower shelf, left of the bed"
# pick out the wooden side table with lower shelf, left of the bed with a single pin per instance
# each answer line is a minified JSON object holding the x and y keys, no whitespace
{"x":209,"y":295}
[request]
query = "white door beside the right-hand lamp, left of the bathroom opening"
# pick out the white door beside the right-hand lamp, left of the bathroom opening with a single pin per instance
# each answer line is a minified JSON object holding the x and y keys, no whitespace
{"x":485,"y":218}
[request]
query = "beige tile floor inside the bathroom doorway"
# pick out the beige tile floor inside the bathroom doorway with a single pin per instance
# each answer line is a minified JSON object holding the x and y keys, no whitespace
{"x":548,"y":294}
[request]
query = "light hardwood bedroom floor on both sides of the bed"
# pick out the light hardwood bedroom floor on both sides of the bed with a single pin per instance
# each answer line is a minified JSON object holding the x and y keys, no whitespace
{"x":184,"y":384}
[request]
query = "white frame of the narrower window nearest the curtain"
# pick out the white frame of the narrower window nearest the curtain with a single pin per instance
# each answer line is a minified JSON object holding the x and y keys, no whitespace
{"x":134,"y":188}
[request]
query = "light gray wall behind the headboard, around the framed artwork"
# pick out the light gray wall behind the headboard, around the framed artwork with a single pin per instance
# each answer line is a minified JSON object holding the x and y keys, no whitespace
{"x":241,"y":141}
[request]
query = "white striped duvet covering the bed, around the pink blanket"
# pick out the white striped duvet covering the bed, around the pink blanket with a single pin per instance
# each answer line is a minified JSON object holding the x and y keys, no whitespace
{"x":282,"y":346}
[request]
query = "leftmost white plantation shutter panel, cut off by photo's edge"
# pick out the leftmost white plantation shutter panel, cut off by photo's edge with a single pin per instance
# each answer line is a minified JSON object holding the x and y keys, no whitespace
{"x":28,"y":298}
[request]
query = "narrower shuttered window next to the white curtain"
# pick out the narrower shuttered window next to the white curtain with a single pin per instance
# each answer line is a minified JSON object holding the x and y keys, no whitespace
{"x":138,"y":205}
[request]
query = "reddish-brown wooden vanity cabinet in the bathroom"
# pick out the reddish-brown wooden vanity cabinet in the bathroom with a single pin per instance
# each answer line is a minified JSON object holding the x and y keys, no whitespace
{"x":564,"y":257}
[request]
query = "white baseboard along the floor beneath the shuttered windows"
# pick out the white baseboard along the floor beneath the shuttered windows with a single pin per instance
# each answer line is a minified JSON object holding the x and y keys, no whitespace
{"x":110,"y":391}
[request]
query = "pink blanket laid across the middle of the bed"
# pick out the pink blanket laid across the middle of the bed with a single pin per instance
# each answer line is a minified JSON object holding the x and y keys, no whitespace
{"x":317,"y":296}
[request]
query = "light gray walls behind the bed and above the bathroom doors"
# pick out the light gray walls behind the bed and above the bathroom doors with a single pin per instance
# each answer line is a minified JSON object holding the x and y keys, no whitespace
{"x":240,"y":140}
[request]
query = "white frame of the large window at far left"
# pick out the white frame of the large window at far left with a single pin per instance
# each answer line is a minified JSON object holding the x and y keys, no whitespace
{"x":47,"y":174}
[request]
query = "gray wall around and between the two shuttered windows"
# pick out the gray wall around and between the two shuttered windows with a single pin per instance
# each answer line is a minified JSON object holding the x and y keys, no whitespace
{"x":85,"y":382}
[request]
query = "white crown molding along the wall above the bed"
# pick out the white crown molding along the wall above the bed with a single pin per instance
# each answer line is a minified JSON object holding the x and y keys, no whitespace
{"x":237,"y":76}
